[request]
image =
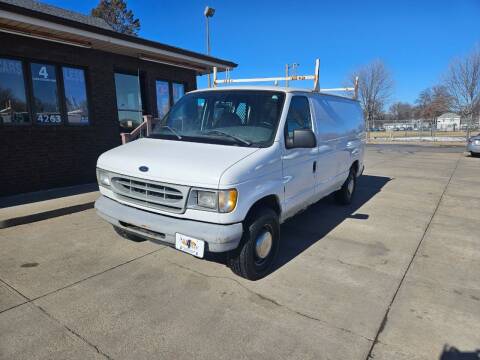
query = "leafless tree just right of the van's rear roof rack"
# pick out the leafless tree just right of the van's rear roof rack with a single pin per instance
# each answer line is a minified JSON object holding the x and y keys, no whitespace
{"x":374,"y":89}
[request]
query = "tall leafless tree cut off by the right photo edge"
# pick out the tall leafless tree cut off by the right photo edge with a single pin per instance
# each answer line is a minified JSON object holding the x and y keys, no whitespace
{"x":463,"y":84}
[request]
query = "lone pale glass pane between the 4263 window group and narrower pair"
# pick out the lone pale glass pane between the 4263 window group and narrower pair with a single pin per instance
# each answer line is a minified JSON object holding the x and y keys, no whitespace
{"x":129,"y":101}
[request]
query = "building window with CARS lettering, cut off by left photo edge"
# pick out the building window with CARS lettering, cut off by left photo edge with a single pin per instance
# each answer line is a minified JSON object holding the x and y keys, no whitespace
{"x":13,"y":101}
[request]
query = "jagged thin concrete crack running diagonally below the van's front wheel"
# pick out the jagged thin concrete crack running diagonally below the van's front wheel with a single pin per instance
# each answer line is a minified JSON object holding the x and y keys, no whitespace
{"x":270,"y":300}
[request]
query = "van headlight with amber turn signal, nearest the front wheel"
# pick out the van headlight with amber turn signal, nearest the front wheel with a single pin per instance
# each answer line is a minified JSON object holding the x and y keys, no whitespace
{"x":223,"y":201}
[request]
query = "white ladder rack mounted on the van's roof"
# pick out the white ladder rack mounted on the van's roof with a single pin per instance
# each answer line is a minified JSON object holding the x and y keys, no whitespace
{"x":315,"y":77}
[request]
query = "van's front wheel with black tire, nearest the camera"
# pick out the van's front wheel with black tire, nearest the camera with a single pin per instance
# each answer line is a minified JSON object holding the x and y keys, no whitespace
{"x":259,"y":246}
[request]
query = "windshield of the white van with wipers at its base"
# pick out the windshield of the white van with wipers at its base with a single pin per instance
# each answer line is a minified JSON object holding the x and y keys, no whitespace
{"x":229,"y":117}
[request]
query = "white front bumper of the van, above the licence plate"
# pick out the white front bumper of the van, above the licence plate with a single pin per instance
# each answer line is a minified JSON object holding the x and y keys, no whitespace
{"x":156,"y":227}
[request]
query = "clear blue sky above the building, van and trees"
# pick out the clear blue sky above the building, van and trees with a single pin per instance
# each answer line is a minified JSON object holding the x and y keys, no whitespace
{"x":415,"y":39}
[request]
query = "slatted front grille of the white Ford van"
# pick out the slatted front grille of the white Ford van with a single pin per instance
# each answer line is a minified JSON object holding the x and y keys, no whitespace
{"x":151,"y":194}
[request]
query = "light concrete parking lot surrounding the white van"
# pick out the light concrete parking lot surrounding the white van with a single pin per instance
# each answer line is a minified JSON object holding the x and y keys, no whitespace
{"x":394,"y":276}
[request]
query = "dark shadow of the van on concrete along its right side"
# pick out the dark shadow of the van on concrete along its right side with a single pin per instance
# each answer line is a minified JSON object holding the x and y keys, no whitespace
{"x":310,"y":226}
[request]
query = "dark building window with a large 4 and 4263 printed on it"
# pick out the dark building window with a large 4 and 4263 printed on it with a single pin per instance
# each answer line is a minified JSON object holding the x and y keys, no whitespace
{"x":46,"y":107}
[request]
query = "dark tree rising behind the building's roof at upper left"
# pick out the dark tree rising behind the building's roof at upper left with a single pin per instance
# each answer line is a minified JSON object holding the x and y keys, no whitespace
{"x":115,"y":14}
